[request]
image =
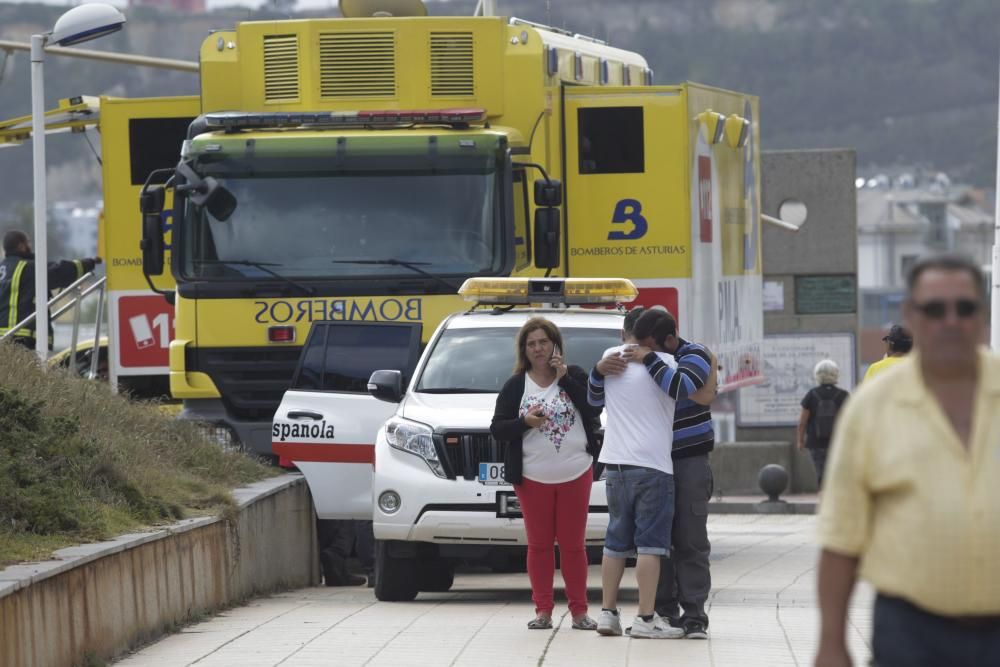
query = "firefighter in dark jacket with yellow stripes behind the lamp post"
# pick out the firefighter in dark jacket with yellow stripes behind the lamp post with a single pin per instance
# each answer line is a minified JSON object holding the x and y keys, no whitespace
{"x":17,"y":284}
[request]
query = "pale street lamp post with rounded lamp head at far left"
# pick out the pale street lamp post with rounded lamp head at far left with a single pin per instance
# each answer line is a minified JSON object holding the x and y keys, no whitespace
{"x":80,"y":24}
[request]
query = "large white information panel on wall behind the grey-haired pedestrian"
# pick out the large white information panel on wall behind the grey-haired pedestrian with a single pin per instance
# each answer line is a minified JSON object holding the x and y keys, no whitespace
{"x":788,"y":374}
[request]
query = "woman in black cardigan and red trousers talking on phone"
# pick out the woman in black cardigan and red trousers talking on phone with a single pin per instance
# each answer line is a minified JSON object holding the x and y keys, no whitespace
{"x":550,"y":429}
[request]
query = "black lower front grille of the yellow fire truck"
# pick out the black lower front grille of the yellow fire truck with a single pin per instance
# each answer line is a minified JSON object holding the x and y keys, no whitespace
{"x":252,"y":380}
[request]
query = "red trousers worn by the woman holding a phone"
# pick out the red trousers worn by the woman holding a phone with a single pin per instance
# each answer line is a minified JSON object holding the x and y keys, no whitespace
{"x":556,"y":513}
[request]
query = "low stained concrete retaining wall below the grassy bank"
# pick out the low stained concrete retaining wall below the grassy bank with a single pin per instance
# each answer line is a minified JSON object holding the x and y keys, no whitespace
{"x":101,"y":600}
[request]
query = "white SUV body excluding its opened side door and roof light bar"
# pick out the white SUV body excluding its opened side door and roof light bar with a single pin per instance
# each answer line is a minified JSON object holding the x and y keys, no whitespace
{"x":438,"y":488}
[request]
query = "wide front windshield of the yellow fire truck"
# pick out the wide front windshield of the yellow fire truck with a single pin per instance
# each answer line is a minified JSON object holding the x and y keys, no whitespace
{"x":344,"y":224}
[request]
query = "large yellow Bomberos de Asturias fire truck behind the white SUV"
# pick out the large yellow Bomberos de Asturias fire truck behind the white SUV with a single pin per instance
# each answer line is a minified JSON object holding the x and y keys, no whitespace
{"x":361,"y":168}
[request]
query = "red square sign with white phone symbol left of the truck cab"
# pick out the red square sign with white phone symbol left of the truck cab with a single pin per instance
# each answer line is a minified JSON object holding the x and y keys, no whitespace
{"x":145,"y":328}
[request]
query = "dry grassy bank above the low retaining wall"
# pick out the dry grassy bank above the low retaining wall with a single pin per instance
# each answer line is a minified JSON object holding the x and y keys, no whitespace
{"x":80,"y":464}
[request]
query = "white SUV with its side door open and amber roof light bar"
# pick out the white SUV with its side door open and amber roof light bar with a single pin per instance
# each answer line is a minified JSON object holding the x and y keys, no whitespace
{"x":438,"y":491}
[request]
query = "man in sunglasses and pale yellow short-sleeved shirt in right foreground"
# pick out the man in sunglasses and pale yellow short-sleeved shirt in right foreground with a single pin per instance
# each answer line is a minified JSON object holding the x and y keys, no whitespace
{"x":912,"y":496}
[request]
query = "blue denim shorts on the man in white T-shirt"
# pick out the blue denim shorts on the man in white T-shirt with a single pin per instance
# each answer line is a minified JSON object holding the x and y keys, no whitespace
{"x":641,"y":512}
